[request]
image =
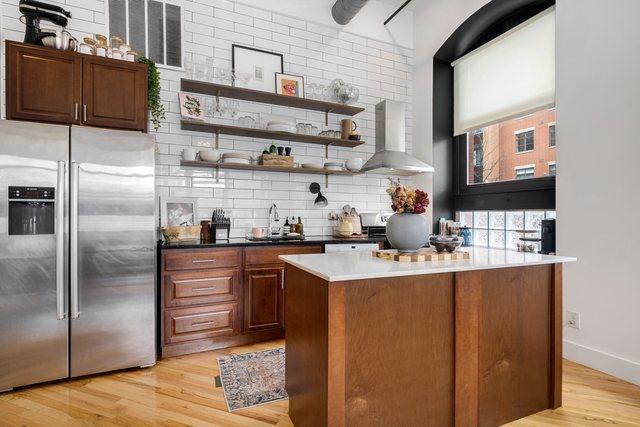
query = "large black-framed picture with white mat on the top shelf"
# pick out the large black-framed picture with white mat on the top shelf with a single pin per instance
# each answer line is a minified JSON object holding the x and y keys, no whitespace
{"x":261,"y":65}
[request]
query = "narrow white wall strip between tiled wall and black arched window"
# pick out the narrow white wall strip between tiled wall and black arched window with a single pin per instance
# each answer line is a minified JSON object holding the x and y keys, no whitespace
{"x":434,"y":22}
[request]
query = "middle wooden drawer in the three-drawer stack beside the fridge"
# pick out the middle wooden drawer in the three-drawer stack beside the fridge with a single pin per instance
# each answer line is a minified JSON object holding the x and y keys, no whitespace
{"x":201,"y":287}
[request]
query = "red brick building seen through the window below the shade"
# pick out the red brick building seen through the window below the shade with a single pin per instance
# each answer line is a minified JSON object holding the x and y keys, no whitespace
{"x":516,"y":149}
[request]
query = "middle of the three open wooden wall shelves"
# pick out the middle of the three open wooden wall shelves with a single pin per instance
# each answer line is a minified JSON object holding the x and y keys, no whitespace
{"x":198,"y":126}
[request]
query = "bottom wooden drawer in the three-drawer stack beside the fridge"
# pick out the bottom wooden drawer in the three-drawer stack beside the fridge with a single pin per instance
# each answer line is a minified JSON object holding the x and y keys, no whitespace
{"x":185,"y":324}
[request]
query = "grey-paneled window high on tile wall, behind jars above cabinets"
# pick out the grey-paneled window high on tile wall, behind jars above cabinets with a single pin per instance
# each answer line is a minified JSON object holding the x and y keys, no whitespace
{"x":153,"y":28}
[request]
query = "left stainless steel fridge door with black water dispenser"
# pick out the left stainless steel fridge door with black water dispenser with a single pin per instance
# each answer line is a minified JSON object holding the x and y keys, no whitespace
{"x":33,"y":256}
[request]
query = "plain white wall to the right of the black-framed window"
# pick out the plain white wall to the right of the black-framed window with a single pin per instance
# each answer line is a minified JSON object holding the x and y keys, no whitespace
{"x":598,"y":200}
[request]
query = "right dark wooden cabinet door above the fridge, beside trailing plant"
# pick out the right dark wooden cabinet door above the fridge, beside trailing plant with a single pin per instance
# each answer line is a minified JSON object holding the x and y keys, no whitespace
{"x":114,"y":94}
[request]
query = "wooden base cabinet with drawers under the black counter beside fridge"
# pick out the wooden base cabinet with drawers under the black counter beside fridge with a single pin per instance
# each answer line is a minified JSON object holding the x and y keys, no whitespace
{"x":222,"y":297}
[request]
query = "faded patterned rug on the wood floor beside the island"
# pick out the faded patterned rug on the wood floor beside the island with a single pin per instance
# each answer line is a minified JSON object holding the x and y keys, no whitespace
{"x":252,"y":378}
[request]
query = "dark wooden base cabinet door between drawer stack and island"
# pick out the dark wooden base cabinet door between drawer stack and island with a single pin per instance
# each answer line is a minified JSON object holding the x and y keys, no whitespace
{"x":263,"y":299}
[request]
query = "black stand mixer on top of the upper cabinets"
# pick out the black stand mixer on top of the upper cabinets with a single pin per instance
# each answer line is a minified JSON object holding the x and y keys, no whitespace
{"x":34,"y":11}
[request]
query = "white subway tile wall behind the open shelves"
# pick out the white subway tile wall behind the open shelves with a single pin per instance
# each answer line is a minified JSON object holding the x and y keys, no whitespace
{"x":317,"y":51}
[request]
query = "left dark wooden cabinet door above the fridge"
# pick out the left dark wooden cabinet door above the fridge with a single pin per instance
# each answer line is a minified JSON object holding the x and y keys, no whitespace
{"x":43,"y":84}
